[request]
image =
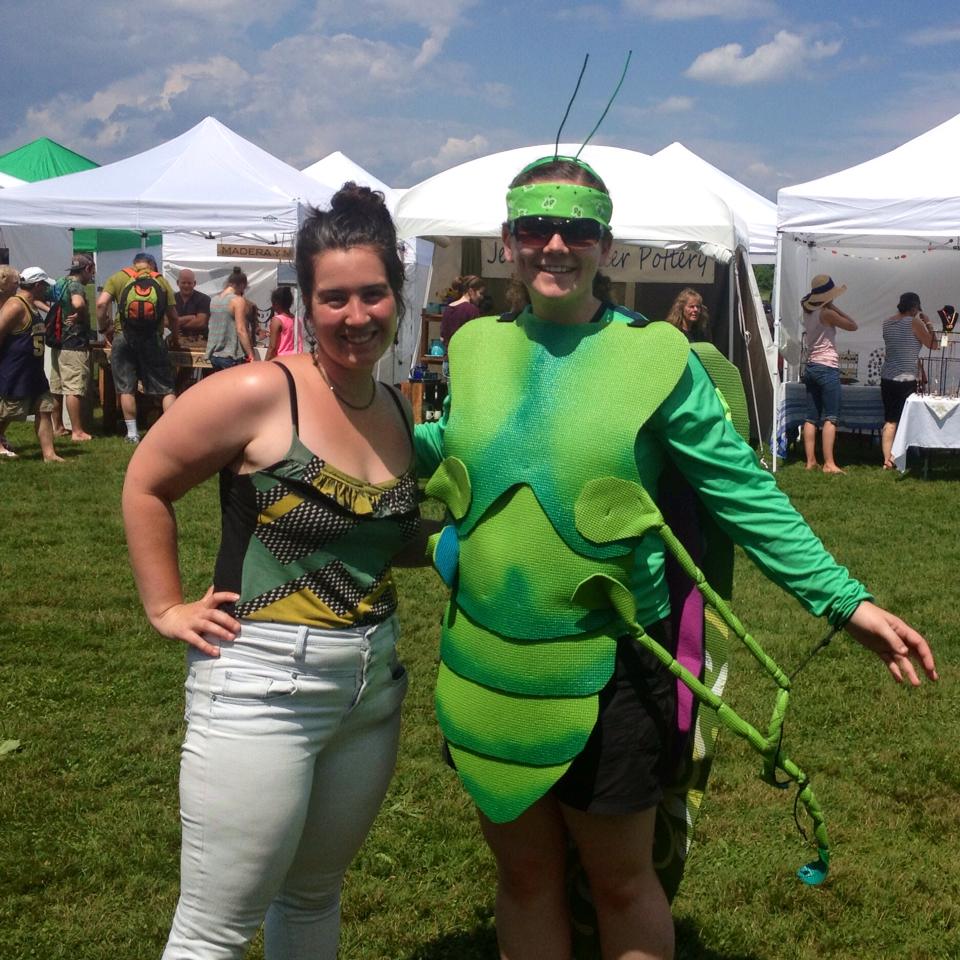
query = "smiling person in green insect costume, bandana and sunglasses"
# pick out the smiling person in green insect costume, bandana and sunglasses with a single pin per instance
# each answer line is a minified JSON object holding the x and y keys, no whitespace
{"x":562,"y":427}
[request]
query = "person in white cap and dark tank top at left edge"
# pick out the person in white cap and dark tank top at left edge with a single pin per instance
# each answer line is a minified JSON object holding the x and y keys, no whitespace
{"x":24,"y":389}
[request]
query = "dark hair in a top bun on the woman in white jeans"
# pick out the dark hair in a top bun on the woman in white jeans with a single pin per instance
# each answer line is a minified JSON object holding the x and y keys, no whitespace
{"x":358,"y":217}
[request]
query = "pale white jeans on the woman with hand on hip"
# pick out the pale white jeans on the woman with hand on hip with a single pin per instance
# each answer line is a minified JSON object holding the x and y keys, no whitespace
{"x":291,"y":742}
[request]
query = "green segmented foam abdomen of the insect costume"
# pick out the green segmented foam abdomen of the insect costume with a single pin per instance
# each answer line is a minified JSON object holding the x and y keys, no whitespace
{"x":516,"y":709}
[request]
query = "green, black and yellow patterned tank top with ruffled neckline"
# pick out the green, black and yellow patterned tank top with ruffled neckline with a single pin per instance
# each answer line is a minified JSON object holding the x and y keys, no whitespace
{"x":304,"y":543}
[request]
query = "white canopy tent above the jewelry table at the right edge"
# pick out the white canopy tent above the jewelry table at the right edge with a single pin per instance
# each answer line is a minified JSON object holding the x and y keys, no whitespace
{"x":883,"y":227}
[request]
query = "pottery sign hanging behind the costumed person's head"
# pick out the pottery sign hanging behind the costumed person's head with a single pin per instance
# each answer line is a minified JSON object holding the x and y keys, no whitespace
{"x":630,"y":263}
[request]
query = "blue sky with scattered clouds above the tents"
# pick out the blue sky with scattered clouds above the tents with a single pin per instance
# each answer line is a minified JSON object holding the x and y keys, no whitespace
{"x":772,"y":92}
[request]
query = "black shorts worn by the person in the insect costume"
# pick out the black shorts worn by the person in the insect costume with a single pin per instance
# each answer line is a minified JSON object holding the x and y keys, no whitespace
{"x":626,"y":759}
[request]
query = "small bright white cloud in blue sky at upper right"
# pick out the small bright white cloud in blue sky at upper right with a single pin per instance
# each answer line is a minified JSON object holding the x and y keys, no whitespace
{"x":778,"y":60}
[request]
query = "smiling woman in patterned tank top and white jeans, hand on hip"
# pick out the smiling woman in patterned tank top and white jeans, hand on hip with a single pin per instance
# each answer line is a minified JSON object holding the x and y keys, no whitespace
{"x":293,"y":682}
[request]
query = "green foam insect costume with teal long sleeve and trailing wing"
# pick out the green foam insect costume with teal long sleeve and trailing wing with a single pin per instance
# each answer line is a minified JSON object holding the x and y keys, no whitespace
{"x":551,"y":439}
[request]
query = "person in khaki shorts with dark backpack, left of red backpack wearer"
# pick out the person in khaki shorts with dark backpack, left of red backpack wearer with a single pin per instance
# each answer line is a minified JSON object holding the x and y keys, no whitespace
{"x":68,"y":336}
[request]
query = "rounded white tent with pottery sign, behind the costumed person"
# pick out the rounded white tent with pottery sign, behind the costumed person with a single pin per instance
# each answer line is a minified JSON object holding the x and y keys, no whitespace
{"x":670,"y":219}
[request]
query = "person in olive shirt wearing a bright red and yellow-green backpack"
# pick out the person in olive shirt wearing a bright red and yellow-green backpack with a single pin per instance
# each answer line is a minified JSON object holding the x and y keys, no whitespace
{"x":144,"y":300}
